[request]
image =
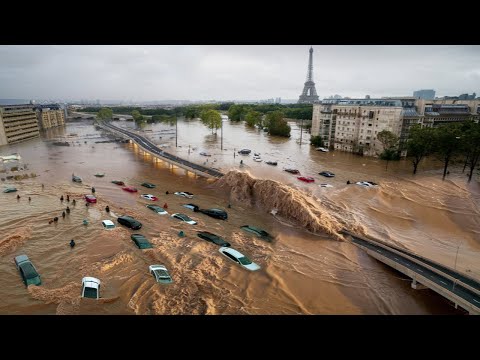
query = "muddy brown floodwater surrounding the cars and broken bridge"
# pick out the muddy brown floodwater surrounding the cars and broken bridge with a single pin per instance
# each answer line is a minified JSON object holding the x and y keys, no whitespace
{"x":305,"y":270}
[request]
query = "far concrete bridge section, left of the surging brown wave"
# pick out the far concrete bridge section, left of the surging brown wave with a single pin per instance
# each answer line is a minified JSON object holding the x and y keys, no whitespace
{"x":150,"y":148}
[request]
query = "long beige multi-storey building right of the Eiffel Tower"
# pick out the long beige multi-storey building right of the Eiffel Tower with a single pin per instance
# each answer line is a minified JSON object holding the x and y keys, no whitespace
{"x":352,"y":124}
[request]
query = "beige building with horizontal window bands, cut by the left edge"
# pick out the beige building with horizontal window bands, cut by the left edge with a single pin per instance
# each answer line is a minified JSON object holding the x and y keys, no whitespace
{"x":17,"y":123}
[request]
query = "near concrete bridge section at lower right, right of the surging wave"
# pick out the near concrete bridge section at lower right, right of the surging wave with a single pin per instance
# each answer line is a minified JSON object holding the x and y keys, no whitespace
{"x":463,"y":291}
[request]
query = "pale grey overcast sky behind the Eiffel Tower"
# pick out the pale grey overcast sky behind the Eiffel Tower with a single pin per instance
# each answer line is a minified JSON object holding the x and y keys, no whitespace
{"x":194,"y":72}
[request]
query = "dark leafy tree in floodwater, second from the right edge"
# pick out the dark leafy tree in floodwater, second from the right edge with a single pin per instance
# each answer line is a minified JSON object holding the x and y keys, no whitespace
{"x":447,"y":143}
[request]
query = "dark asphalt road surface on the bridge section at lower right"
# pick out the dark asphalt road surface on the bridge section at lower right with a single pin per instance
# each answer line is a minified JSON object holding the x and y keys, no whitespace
{"x":440,"y":280}
